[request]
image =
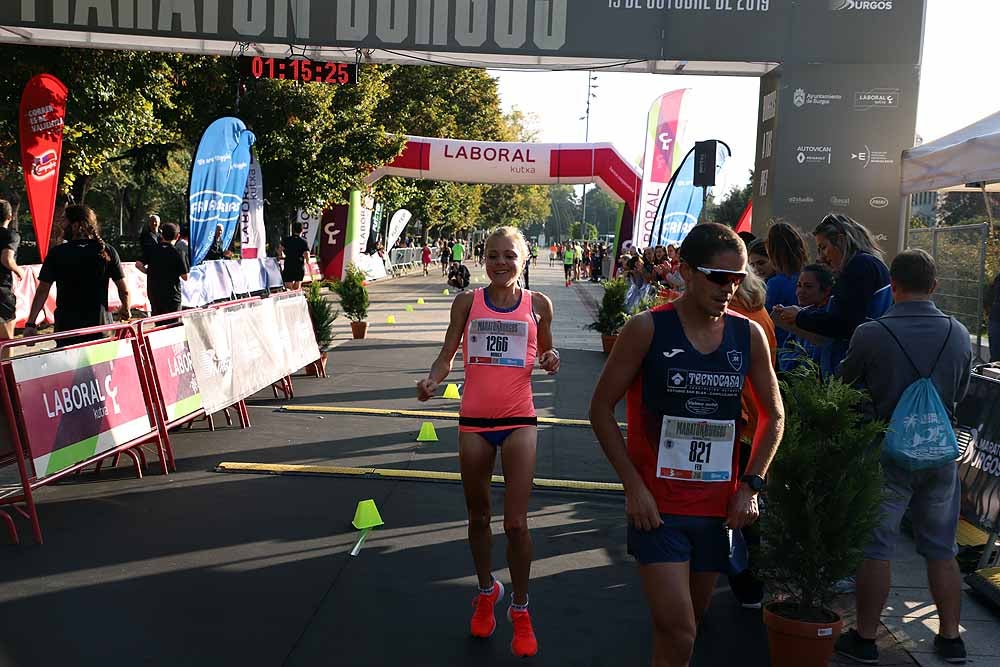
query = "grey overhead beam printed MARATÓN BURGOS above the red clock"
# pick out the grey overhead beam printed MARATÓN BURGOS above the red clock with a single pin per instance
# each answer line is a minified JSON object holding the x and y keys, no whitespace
{"x":836,"y":31}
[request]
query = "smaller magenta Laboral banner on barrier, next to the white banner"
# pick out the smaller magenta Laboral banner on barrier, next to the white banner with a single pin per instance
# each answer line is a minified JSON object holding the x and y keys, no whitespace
{"x":174,"y":370}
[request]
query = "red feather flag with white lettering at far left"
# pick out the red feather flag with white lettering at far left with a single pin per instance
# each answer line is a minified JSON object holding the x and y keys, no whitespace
{"x":42,"y":116}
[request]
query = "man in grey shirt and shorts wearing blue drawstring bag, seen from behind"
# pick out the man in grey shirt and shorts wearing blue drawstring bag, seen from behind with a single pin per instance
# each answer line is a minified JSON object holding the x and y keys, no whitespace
{"x":916,"y":362}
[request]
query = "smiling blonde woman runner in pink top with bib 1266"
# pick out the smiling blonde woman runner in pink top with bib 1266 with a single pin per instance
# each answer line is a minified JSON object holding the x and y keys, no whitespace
{"x":503,"y":329}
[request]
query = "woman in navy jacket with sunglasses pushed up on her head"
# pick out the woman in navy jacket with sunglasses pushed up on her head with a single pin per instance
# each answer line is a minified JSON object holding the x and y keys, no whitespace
{"x":862,"y":290}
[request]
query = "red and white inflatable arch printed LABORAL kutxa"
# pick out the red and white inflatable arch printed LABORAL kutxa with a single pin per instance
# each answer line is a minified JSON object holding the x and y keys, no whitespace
{"x":522,"y":164}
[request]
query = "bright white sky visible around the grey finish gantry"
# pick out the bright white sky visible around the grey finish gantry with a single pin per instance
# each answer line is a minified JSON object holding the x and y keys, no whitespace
{"x":956,"y":90}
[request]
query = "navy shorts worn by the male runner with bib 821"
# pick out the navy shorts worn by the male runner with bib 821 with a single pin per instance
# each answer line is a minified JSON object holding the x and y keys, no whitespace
{"x":705,"y":542}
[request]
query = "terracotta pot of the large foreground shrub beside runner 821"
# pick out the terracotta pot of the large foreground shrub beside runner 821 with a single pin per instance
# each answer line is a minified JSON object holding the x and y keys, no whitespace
{"x":799,"y":643}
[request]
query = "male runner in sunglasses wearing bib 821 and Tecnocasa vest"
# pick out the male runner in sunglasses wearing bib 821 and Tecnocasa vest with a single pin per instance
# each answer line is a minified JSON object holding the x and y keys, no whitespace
{"x":684,"y":366}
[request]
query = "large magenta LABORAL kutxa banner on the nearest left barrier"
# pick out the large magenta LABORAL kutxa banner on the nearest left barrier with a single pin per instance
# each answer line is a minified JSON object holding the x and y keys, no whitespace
{"x":79,"y":402}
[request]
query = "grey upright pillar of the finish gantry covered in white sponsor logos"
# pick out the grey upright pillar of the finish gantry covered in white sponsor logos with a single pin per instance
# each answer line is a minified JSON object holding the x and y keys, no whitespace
{"x":830,"y":141}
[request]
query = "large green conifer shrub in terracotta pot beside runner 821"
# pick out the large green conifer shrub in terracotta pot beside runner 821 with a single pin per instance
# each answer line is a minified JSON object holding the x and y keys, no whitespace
{"x":823,"y":497}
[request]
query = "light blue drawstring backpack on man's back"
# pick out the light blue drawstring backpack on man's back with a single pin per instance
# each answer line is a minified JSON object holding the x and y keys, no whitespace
{"x":920,"y":434}
